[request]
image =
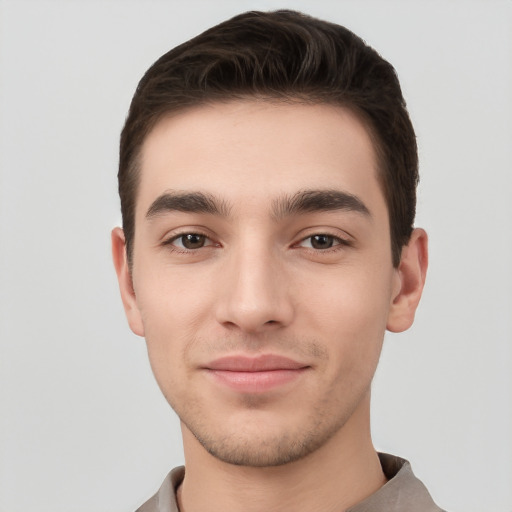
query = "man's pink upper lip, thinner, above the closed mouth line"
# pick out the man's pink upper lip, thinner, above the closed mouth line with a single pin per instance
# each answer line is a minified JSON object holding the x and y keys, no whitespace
{"x":261,"y":363}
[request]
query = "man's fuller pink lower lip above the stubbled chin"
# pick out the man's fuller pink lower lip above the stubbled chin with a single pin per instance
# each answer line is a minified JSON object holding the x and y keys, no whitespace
{"x":256,"y":382}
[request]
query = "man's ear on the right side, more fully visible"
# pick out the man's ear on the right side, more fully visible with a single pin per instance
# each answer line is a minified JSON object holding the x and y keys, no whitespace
{"x":410,"y":276}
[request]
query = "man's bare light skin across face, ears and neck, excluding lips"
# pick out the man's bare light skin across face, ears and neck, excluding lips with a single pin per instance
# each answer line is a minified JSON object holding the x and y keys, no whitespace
{"x":316,"y":286}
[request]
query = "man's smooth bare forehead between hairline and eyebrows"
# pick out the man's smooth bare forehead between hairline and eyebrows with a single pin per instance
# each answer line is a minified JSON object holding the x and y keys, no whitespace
{"x":253,"y":151}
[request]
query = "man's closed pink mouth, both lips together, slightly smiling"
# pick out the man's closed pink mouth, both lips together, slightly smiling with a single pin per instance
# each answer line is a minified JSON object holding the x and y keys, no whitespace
{"x":255,"y":374}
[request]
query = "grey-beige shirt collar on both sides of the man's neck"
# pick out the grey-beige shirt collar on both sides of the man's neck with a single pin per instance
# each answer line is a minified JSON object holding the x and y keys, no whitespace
{"x":402,"y":493}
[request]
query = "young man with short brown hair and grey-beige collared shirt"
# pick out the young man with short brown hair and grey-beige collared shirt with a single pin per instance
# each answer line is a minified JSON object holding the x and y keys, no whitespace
{"x":267,"y":177}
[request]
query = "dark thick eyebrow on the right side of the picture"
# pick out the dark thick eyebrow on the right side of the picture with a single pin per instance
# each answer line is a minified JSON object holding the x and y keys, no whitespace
{"x":316,"y":201}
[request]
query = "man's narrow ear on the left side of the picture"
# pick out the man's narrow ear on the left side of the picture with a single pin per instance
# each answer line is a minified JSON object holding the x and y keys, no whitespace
{"x":124,"y":278}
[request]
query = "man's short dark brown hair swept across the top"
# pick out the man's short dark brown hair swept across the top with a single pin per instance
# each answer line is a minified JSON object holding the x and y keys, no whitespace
{"x":283,"y":55}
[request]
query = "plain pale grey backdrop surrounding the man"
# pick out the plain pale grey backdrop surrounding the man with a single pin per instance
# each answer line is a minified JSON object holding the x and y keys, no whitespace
{"x":82,"y":423}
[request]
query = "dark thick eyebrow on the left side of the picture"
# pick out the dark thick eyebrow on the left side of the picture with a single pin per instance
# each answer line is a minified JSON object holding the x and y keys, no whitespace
{"x":189,"y":202}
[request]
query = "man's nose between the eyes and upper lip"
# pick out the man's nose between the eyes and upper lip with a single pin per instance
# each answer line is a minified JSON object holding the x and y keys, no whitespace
{"x":254,"y":292}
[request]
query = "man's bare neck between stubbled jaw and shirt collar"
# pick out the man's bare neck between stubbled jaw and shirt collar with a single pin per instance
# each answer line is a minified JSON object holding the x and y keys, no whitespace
{"x":341,"y":473}
